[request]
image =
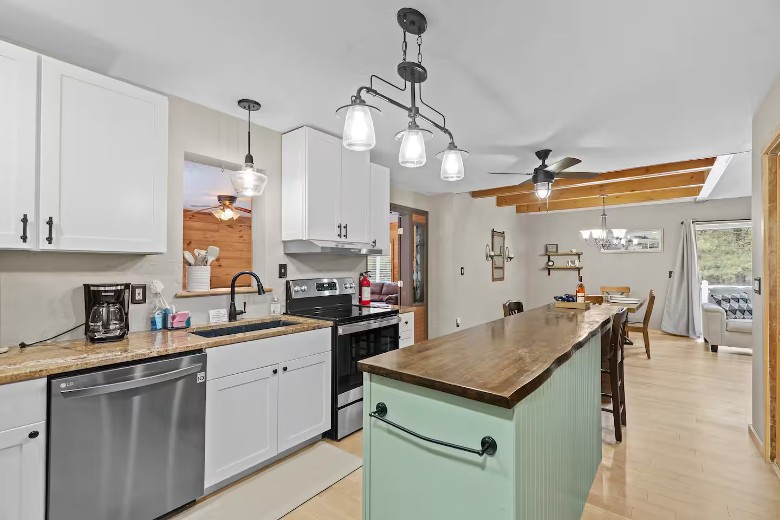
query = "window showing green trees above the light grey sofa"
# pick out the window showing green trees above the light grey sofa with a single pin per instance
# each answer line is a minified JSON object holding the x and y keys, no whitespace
{"x":725,"y":252}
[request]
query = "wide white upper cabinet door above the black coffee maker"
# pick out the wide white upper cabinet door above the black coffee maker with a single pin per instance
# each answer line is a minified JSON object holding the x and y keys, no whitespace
{"x":103,"y":163}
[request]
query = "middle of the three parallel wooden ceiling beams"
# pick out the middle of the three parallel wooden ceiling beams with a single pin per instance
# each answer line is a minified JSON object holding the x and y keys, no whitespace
{"x":696,"y":178}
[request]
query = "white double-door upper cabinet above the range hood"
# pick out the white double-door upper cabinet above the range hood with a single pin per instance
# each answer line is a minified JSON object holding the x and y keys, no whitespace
{"x":325,"y":188}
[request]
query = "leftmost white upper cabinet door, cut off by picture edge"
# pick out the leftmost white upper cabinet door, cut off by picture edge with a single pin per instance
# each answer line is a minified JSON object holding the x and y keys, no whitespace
{"x":18,"y":134}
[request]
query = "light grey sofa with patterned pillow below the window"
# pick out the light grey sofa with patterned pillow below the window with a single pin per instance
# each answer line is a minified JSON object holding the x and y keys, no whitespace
{"x":727,"y":317}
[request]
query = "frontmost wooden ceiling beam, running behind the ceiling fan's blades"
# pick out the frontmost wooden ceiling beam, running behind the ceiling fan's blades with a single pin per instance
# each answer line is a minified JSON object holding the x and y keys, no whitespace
{"x":645,"y":171}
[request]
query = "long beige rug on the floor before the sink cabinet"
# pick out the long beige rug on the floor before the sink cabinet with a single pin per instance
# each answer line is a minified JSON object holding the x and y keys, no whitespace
{"x":280,"y":488}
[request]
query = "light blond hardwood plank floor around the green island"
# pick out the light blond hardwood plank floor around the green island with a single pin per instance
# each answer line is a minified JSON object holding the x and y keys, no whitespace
{"x":686,"y":452}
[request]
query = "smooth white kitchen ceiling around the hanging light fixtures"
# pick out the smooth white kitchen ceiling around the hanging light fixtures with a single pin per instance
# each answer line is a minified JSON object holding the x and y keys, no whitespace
{"x":616,"y":83}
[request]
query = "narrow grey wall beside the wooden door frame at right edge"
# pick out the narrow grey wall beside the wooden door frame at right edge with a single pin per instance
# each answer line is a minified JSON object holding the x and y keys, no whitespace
{"x":766,"y":123}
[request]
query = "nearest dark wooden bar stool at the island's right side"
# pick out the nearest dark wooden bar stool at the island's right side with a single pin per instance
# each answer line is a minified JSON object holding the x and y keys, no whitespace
{"x":613,"y":373}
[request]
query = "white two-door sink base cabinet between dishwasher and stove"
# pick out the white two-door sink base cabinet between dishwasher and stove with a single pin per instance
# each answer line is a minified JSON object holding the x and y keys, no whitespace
{"x":264,"y":397}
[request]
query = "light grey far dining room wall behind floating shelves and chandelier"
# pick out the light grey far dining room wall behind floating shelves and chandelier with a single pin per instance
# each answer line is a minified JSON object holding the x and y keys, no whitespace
{"x":640,"y":271}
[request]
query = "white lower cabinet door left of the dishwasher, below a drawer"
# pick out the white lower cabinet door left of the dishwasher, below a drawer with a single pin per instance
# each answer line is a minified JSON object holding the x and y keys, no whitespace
{"x":23,"y":472}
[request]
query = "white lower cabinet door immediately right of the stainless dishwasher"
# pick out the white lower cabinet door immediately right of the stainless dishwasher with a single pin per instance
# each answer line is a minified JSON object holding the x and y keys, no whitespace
{"x":241,"y":422}
